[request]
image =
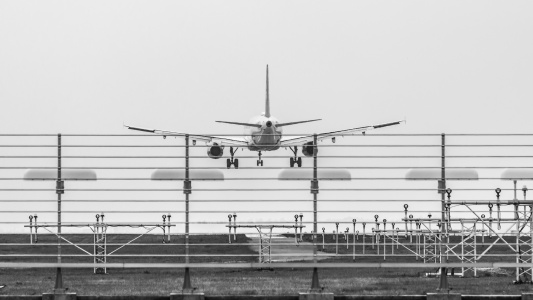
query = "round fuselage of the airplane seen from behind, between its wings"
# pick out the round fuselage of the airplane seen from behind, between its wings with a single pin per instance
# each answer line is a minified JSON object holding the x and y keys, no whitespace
{"x":266,"y":138}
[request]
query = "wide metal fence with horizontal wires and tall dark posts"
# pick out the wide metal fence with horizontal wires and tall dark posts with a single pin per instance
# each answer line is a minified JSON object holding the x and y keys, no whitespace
{"x":449,"y":204}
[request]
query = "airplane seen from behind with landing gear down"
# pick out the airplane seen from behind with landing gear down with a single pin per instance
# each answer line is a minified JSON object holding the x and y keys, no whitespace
{"x":263,"y":133}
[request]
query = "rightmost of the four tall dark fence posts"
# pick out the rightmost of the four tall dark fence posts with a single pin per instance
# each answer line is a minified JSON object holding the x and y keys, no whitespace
{"x":443,"y":286}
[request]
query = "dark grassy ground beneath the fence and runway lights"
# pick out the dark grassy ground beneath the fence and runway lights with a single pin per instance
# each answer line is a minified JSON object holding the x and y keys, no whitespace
{"x":230,"y":281}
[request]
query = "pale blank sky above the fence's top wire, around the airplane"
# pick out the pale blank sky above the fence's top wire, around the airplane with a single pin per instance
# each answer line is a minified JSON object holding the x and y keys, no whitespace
{"x":87,"y":67}
